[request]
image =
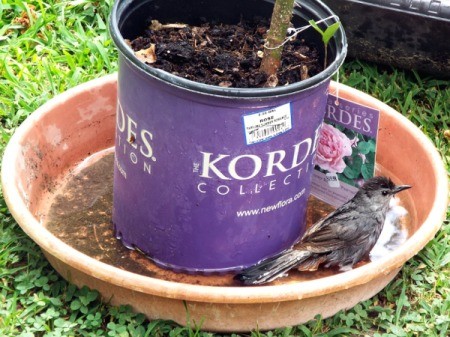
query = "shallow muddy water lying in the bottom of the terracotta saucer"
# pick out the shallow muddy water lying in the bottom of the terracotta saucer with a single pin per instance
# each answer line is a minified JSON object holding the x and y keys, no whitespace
{"x":80,"y":215}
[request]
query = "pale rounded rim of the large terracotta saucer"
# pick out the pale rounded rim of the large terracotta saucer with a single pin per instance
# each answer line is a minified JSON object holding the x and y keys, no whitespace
{"x":214,"y":294}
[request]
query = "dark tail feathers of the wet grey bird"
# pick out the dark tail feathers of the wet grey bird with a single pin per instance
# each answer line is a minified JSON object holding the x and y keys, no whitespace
{"x":273,"y":267}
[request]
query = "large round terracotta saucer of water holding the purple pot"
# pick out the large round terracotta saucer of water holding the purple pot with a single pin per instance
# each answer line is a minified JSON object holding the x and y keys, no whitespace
{"x":57,"y":182}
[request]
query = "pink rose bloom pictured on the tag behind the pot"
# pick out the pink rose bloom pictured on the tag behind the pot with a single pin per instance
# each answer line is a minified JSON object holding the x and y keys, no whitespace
{"x":333,"y":146}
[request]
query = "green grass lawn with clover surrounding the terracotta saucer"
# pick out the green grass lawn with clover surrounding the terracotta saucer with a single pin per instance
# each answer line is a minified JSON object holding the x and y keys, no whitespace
{"x":48,"y":47}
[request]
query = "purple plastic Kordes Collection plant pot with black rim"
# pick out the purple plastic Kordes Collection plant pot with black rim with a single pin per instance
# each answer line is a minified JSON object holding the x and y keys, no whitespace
{"x":209,"y":178}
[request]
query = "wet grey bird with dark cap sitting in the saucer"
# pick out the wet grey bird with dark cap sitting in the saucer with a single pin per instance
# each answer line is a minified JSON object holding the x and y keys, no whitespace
{"x":342,"y":238}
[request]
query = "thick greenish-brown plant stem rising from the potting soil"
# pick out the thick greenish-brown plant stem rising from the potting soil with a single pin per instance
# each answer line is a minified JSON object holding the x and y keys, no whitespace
{"x":281,"y":18}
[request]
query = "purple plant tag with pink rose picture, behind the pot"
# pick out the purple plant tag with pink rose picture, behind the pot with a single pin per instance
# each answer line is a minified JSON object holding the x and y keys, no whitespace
{"x":346,"y":150}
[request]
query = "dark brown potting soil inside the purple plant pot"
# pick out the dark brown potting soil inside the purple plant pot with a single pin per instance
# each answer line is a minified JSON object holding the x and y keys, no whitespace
{"x":222,"y":54}
